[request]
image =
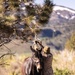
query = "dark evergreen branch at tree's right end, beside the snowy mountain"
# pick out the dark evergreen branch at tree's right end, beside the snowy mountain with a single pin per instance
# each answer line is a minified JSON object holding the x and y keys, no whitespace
{"x":46,"y":11}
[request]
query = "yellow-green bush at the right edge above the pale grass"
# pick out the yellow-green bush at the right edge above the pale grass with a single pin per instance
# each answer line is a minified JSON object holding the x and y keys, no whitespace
{"x":70,"y":44}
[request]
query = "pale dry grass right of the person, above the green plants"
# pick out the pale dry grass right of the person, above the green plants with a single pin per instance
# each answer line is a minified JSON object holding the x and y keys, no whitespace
{"x":64,"y":60}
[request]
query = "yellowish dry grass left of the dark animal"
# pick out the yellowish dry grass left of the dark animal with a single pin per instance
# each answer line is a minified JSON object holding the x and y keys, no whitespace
{"x":12,"y":65}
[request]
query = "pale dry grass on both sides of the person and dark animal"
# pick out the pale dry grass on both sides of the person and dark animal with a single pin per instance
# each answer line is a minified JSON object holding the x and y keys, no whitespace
{"x":62,"y":61}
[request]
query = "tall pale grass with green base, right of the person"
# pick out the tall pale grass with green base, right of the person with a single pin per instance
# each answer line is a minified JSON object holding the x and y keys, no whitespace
{"x":64,"y":62}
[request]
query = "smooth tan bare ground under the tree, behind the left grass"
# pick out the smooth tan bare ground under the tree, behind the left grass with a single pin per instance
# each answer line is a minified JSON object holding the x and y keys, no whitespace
{"x":16,"y":46}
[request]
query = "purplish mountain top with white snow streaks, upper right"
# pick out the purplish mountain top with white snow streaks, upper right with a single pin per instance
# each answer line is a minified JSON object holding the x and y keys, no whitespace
{"x":62,"y":14}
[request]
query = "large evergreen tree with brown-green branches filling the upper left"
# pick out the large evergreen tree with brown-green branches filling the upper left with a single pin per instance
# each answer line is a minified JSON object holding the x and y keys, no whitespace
{"x":17,"y":13}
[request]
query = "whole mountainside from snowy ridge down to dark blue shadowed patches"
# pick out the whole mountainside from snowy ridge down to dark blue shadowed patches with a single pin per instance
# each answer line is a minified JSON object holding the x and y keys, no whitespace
{"x":60,"y":27}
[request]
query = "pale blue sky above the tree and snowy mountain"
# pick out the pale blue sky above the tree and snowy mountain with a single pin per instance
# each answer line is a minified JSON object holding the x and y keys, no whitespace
{"x":67,"y":3}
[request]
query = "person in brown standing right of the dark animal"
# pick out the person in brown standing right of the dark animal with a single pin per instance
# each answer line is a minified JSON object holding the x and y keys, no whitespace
{"x":47,"y":58}
